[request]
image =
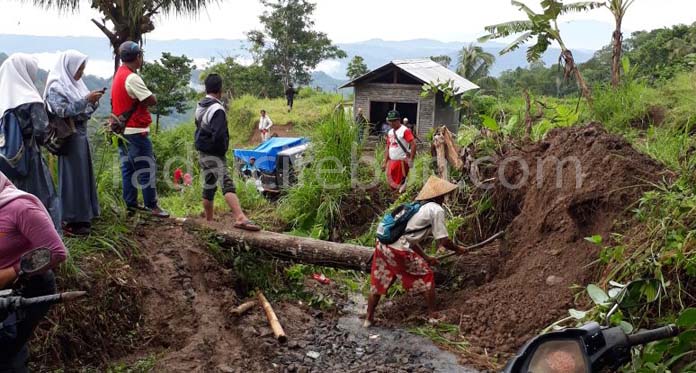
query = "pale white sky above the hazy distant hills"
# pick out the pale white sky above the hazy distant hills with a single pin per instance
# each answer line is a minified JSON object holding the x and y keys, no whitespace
{"x":343,"y":21}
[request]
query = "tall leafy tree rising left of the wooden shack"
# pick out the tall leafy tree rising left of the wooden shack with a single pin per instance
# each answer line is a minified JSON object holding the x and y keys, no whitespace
{"x":288,"y":44}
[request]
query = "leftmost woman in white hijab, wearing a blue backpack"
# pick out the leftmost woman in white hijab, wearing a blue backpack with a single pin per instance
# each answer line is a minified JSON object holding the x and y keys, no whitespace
{"x":20,"y":97}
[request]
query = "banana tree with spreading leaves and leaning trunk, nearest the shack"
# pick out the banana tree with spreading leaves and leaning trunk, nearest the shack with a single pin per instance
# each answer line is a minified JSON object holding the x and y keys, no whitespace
{"x":543,"y":26}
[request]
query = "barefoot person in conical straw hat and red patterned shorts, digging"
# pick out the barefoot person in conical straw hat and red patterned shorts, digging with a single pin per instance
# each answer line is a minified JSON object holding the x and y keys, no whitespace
{"x":406,"y":259}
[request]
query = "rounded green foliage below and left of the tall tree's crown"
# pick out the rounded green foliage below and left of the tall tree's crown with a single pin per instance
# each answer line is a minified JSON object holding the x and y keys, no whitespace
{"x":239,"y":80}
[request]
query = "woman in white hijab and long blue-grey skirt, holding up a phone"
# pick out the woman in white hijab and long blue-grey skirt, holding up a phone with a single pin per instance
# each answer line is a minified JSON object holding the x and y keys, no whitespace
{"x":67,"y":96}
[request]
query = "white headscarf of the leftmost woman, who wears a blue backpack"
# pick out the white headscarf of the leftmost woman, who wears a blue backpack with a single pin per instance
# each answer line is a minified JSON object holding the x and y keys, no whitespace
{"x":17,"y":76}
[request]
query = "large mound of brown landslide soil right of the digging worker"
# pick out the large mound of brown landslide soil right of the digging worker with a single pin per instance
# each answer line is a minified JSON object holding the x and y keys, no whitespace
{"x":509,"y":291}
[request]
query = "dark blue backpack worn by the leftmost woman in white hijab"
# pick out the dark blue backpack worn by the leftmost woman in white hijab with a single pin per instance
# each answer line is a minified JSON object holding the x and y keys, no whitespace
{"x":13,"y":160}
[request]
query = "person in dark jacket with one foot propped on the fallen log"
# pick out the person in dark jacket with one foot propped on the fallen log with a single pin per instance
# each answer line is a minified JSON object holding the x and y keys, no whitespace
{"x":212,"y":141}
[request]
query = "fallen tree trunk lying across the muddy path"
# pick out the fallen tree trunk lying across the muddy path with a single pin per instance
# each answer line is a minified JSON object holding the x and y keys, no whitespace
{"x":297,"y":249}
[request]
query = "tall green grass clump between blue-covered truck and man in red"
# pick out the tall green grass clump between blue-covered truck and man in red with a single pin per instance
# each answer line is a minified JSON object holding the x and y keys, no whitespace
{"x":313,"y":206}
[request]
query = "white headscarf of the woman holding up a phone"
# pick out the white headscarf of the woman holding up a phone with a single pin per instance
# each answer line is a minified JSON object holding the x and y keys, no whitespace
{"x":63,"y":76}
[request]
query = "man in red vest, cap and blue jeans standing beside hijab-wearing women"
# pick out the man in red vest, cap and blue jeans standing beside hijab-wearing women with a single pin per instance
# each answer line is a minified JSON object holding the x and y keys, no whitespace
{"x":138,"y":167}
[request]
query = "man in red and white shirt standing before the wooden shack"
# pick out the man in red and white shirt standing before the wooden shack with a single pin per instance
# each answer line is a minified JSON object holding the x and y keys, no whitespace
{"x":400,"y":152}
